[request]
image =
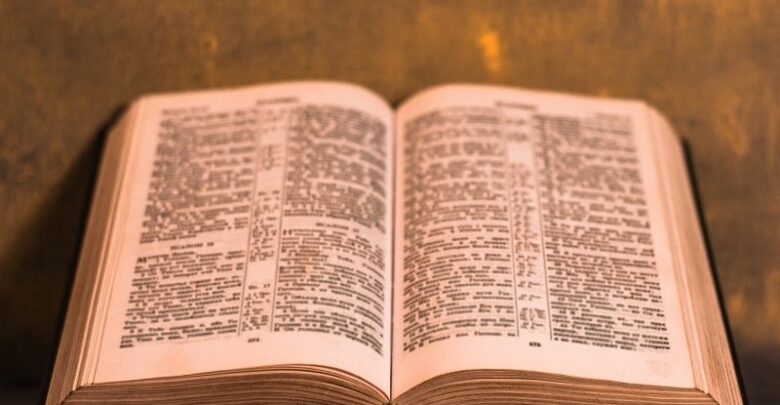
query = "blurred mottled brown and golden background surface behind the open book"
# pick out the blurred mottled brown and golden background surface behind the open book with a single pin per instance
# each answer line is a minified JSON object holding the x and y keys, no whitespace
{"x":66,"y":68}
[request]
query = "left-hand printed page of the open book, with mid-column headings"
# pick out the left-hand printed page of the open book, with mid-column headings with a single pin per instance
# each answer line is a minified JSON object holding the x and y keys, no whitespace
{"x":256,"y":231}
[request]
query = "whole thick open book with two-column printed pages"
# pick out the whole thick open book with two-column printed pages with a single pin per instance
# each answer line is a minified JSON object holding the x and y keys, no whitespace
{"x":305,"y":243}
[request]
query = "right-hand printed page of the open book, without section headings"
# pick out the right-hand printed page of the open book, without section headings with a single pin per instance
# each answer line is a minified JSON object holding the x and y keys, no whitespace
{"x":530,"y":236}
